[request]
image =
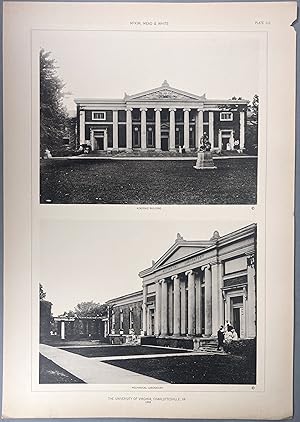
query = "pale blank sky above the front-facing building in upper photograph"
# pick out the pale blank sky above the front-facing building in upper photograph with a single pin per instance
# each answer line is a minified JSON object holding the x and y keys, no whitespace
{"x":95,"y":64}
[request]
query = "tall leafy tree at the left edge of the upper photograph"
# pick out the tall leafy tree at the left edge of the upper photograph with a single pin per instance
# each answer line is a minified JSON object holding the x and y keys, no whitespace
{"x":53,"y":115}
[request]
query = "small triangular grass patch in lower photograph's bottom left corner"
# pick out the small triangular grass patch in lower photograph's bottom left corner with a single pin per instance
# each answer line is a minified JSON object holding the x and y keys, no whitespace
{"x":50,"y":373}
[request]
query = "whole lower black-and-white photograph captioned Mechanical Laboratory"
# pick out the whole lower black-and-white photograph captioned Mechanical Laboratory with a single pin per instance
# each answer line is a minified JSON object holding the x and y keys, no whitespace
{"x":147,"y":302}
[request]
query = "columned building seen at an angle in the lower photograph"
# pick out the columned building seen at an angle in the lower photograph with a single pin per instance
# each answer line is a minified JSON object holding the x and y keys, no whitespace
{"x":192,"y":289}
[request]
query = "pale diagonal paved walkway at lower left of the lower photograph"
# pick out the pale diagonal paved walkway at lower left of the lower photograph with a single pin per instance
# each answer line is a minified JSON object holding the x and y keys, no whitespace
{"x":93,"y":371}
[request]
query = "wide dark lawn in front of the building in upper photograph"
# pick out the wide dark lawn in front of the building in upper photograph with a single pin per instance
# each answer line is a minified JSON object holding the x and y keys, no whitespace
{"x":89,"y":181}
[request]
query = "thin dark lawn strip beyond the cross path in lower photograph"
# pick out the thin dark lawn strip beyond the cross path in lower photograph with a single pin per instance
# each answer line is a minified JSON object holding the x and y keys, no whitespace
{"x":93,"y":352}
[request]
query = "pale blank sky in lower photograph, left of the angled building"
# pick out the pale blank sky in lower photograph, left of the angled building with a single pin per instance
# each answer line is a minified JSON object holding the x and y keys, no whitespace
{"x":83,"y":260}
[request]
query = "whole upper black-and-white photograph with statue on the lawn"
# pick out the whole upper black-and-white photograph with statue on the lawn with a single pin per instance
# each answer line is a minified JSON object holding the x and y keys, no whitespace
{"x":157,"y":118}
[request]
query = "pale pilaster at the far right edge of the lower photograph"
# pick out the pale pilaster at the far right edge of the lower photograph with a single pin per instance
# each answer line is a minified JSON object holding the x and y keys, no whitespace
{"x":251,"y":299}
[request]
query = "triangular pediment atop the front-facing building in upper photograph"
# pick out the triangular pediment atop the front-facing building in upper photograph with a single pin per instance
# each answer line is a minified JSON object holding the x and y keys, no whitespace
{"x":164,"y":93}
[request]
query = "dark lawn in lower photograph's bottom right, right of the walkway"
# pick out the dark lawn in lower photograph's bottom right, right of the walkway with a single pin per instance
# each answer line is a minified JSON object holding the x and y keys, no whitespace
{"x":198,"y":369}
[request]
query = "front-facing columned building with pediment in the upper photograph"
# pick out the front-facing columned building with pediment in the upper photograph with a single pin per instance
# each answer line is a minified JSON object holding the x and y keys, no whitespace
{"x":161,"y":119}
